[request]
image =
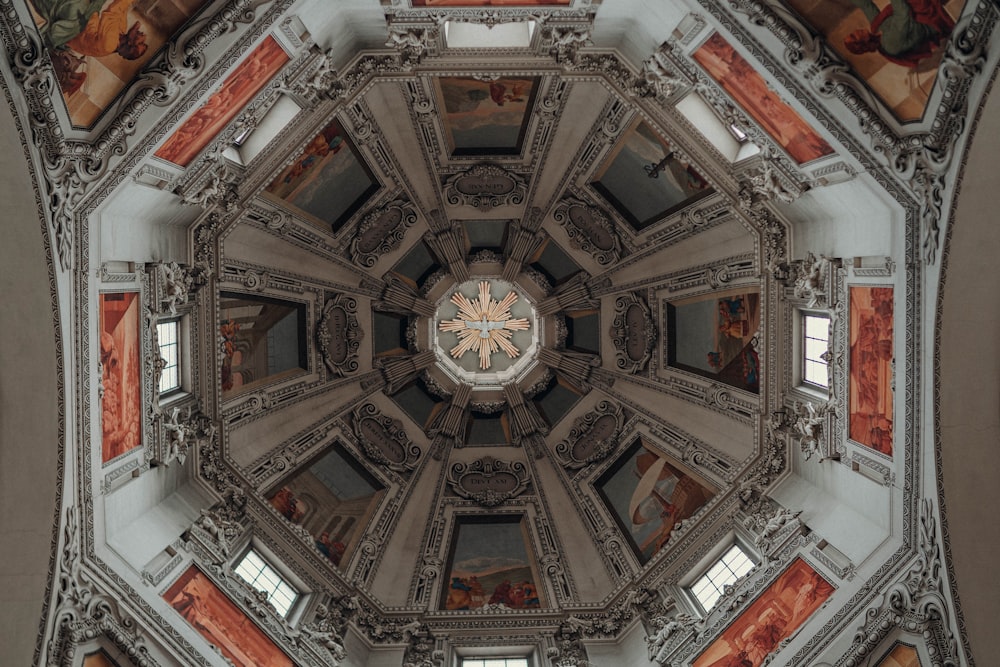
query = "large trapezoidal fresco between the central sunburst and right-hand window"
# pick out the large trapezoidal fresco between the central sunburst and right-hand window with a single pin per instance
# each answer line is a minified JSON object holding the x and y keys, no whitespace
{"x":712,"y":336}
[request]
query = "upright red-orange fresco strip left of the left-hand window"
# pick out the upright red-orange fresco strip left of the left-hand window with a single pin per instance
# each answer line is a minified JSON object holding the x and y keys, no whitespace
{"x":121,"y":377}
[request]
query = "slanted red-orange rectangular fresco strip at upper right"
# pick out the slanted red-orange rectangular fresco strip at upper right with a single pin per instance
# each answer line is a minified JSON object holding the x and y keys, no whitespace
{"x":749,"y":89}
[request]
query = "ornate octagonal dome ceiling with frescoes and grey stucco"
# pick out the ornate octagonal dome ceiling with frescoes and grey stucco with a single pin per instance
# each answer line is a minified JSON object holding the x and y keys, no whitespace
{"x":490,"y":336}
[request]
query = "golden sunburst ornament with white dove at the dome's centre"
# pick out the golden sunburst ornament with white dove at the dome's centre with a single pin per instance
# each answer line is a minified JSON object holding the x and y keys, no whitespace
{"x":484,"y":325}
